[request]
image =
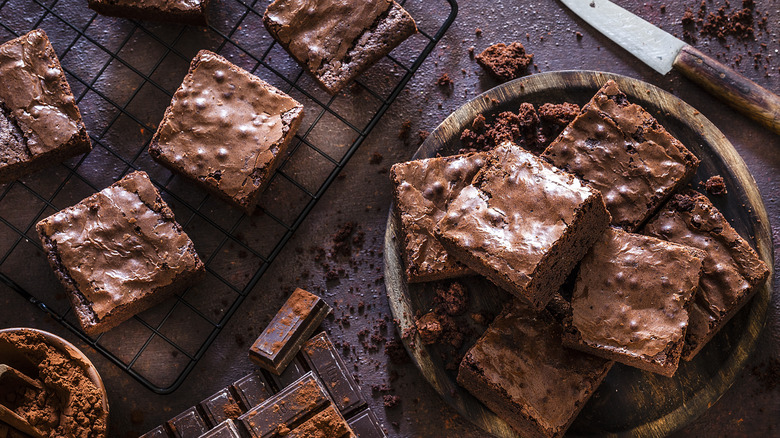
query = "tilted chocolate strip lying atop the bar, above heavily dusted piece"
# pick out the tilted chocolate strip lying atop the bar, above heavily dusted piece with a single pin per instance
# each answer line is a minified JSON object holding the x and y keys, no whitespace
{"x":285,"y":409}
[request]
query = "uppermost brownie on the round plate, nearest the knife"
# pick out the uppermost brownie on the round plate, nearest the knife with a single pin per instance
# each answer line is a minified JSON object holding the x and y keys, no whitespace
{"x":620,"y":149}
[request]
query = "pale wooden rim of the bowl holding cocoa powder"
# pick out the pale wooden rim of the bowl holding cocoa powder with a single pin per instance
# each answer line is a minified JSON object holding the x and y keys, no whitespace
{"x":15,"y":359}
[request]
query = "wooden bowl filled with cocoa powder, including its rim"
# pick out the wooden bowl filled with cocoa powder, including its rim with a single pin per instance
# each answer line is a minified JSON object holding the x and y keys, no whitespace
{"x":72,"y":399}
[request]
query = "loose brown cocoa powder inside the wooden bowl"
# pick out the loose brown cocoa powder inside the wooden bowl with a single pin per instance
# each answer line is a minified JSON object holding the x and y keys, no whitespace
{"x":63,"y":379}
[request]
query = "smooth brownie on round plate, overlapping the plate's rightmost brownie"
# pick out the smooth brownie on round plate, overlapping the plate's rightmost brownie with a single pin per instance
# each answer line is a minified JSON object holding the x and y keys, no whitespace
{"x":631,"y":300}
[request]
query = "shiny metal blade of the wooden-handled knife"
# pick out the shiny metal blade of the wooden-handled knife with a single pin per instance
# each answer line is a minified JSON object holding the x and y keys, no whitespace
{"x":651,"y":45}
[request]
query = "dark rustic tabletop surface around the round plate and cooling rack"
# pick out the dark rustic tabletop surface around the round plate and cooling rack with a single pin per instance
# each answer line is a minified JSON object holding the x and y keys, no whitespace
{"x":558,"y":41}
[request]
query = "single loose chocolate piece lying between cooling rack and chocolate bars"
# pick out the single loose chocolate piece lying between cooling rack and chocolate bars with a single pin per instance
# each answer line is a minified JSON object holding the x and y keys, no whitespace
{"x":293,"y":324}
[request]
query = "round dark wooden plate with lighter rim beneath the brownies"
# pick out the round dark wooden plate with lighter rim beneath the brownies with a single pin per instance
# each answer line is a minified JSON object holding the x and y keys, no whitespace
{"x":630,"y":402}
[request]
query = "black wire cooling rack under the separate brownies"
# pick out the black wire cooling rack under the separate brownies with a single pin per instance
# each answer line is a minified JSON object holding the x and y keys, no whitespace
{"x":123,"y":74}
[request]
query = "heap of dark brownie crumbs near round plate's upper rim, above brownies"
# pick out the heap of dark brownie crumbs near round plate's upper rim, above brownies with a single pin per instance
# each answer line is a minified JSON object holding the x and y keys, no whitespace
{"x":530,"y":128}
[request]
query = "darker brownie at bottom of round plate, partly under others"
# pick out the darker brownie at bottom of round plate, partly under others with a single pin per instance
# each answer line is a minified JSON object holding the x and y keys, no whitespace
{"x":521,"y":371}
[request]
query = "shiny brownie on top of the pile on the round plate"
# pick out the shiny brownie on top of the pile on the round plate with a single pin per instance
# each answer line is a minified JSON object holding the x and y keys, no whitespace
{"x":523,"y":223}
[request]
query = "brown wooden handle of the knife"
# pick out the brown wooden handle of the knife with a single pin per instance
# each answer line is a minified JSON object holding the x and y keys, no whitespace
{"x":736,"y":90}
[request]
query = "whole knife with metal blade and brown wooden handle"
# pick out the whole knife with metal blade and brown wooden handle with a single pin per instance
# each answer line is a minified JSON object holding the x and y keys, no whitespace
{"x":662,"y":52}
